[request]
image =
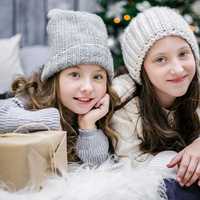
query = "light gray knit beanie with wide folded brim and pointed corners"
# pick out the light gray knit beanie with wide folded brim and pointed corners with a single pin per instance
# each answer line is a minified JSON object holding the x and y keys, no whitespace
{"x":76,"y":38}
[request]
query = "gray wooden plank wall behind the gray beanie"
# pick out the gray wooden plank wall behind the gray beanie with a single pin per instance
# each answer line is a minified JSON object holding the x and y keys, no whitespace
{"x":28,"y":17}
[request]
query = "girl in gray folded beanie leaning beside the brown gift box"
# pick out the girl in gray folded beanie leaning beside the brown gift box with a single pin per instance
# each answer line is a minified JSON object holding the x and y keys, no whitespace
{"x":73,"y":90}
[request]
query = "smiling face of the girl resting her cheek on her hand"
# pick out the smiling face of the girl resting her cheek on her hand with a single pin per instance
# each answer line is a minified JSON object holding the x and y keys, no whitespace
{"x":81,"y":87}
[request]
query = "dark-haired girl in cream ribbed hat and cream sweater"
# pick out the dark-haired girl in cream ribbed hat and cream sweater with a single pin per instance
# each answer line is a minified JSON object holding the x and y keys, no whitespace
{"x":160,"y":95}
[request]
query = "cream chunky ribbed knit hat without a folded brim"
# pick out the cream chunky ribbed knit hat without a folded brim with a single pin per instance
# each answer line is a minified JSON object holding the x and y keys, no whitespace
{"x":148,"y":27}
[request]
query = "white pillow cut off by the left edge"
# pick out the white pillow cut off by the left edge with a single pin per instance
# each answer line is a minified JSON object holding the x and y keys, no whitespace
{"x":10,"y":66}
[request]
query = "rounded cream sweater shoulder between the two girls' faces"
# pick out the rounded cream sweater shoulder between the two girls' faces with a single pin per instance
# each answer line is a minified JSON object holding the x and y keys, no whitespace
{"x":124,"y":86}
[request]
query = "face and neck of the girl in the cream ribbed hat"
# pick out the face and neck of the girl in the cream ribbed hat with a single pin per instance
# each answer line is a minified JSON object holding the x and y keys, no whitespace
{"x":170,"y":66}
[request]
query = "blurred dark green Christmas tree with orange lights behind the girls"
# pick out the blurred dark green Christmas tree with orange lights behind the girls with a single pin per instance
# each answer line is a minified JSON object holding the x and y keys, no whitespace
{"x":117,"y":15}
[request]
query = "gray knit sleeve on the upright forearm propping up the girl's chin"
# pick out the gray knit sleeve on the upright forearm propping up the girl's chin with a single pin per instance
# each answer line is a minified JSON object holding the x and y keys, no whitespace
{"x":92,"y":146}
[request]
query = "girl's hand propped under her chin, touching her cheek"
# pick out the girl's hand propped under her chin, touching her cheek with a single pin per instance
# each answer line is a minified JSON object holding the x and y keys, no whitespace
{"x":88,"y":120}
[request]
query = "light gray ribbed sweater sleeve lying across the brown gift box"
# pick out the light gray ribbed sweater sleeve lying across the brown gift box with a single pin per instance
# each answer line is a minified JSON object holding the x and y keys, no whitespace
{"x":13,"y":114}
